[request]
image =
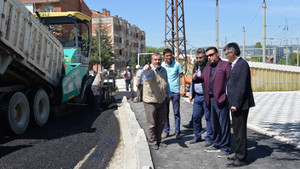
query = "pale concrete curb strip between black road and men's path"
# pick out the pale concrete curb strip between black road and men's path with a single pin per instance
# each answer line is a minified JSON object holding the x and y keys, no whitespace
{"x":137,"y":153}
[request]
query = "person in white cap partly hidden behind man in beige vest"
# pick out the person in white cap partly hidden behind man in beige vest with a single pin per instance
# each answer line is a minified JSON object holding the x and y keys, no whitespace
{"x":139,"y":84}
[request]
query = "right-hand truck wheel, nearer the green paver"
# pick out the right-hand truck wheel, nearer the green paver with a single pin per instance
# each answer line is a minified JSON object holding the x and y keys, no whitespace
{"x":41,"y":107}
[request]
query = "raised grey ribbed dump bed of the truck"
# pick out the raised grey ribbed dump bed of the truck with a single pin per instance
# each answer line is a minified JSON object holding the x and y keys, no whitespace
{"x":29,"y":53}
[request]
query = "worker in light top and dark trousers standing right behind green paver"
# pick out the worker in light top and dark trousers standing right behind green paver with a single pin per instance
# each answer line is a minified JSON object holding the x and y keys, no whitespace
{"x":96,"y":88}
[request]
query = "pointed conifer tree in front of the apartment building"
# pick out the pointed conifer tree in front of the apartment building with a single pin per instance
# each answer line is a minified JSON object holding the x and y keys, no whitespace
{"x":107,"y":54}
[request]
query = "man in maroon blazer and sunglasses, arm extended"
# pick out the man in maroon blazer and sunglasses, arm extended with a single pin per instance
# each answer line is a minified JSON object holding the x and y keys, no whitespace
{"x":214,"y":78}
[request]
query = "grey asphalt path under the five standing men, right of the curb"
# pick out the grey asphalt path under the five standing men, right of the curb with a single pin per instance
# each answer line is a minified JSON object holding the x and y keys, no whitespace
{"x":263,"y":151}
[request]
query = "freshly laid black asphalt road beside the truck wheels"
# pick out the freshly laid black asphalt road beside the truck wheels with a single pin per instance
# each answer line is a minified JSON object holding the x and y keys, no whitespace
{"x":64,"y":141}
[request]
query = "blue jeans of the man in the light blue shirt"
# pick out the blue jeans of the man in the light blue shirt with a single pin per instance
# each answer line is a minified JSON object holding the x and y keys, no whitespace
{"x":175,"y":98}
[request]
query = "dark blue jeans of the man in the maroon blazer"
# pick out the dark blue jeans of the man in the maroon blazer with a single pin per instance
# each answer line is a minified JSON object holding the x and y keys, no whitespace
{"x":221,"y":125}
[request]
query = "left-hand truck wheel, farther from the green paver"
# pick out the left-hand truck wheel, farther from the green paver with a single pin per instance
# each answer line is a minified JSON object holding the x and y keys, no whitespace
{"x":18,"y":113}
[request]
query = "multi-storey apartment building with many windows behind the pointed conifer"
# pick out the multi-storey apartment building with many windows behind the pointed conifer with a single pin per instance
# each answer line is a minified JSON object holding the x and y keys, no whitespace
{"x":128,"y":40}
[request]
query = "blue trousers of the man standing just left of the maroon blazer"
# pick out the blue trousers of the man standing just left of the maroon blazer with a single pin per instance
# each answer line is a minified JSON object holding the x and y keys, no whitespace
{"x":200,"y":109}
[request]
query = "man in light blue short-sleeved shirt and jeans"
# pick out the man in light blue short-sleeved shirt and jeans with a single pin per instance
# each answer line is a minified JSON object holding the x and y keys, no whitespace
{"x":174,"y":71}
